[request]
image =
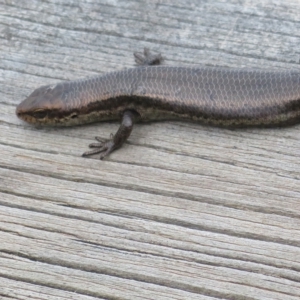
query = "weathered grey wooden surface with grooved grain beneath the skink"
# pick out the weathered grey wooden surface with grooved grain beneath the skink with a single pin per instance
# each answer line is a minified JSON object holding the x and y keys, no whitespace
{"x":183,"y":211}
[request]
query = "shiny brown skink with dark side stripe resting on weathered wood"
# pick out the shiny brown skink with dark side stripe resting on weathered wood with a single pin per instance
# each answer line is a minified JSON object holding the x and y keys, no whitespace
{"x":216,"y":96}
